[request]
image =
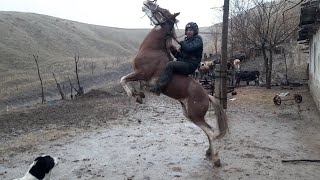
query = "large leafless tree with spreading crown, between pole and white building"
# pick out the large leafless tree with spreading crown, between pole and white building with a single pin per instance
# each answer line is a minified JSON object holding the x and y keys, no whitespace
{"x":263,"y":25}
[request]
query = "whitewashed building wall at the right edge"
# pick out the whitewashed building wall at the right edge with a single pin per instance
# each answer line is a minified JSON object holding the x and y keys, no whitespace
{"x":314,"y":68}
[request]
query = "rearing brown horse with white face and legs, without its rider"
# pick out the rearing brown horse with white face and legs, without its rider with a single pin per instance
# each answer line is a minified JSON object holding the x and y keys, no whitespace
{"x":151,"y":60}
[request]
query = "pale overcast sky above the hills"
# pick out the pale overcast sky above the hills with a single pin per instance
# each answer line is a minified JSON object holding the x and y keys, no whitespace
{"x":118,"y":13}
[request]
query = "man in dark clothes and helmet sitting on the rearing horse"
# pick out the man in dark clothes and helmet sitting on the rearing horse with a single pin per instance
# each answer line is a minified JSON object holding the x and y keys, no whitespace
{"x":188,"y":57}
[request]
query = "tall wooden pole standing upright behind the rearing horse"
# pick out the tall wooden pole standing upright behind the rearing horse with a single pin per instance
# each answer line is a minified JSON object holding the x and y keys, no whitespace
{"x":224,"y":54}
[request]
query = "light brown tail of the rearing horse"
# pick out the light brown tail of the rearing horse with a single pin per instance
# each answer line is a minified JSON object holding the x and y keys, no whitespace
{"x":222,"y":120}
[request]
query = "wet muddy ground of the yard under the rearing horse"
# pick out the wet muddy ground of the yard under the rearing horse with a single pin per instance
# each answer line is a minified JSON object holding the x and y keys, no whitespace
{"x":106,"y":135}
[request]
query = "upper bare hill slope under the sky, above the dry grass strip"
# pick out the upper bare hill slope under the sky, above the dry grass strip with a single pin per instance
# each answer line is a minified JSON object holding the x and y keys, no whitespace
{"x":24,"y":34}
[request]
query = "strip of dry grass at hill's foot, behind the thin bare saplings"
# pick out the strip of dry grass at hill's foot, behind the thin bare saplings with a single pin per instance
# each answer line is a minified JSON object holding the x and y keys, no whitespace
{"x":20,"y":87}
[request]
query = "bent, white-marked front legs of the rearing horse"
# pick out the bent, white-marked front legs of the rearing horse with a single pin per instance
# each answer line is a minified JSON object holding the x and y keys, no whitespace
{"x":131,"y":91}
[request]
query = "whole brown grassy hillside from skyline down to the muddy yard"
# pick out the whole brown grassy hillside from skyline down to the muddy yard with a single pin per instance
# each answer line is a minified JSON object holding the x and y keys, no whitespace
{"x":55,"y":41}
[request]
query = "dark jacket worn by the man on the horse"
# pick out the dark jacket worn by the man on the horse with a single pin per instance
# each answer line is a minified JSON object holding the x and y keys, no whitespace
{"x":190,"y":51}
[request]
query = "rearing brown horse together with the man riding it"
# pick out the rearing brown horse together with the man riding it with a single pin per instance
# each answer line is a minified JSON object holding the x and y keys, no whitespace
{"x":154,"y":60}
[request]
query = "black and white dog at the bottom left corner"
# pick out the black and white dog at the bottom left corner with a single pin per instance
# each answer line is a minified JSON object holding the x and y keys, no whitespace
{"x":40,"y":168}
